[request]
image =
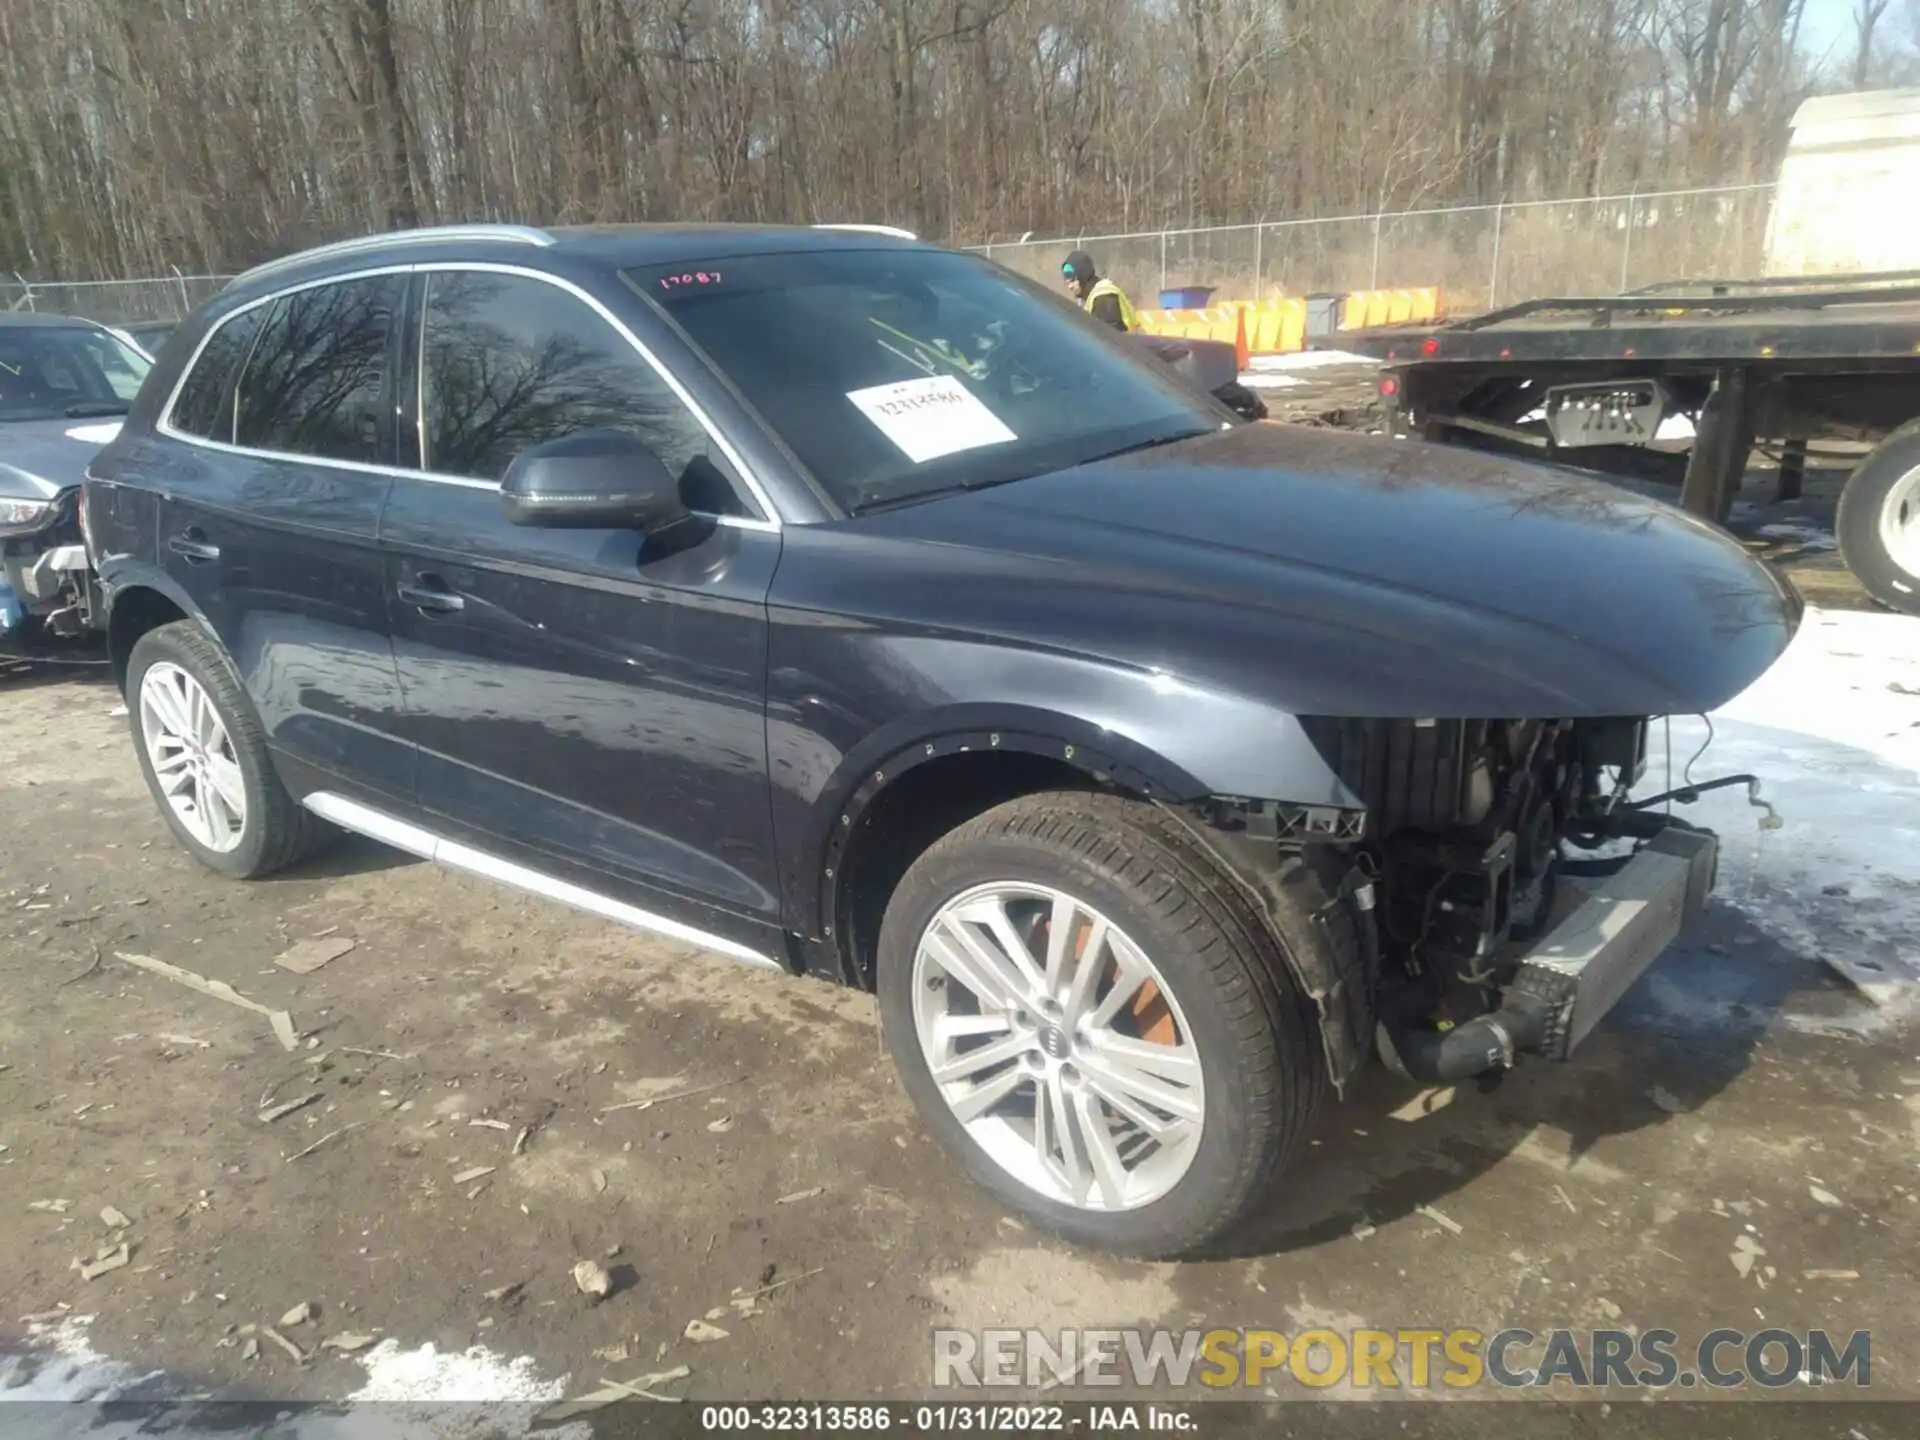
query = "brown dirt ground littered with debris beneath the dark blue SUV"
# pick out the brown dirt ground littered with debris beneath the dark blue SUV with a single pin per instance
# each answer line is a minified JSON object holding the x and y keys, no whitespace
{"x":1737,"y":1147}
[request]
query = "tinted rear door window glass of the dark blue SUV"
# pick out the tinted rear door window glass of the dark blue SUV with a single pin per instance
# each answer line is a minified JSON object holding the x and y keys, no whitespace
{"x":318,"y":379}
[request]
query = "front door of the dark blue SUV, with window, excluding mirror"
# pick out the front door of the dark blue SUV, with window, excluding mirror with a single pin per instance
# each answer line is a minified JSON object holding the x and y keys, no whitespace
{"x":596,"y":698}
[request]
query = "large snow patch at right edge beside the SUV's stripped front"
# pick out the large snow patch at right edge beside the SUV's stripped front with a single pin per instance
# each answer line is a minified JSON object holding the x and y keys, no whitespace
{"x":1835,"y":736}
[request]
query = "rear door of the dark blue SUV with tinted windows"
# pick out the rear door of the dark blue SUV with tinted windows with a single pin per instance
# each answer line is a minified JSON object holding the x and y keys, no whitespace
{"x":274,"y":468}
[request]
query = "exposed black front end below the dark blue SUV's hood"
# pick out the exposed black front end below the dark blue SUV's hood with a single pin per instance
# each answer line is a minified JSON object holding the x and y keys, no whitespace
{"x":1508,"y":890}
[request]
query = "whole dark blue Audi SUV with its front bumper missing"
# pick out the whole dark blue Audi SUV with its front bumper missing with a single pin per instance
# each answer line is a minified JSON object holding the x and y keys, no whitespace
{"x":846,"y":608}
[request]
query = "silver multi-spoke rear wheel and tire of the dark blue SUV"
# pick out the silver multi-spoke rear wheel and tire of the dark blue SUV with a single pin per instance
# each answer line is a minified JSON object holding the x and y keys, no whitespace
{"x":204,"y":757}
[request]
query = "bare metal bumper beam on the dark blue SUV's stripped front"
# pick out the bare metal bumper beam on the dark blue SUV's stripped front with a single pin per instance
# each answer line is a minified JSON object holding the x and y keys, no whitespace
{"x":1570,"y":982}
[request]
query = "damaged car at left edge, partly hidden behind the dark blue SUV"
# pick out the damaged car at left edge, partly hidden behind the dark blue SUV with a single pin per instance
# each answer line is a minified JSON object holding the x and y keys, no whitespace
{"x":64,"y":385}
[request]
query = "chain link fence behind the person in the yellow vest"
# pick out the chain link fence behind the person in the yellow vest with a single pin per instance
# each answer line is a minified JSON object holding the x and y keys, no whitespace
{"x":1481,"y":256}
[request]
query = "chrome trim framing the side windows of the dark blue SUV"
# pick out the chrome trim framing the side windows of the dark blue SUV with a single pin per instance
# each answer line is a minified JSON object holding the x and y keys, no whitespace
{"x":164,"y":425}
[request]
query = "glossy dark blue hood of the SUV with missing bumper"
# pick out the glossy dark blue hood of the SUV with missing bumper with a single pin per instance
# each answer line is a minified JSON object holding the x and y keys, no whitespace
{"x":1364,"y":577}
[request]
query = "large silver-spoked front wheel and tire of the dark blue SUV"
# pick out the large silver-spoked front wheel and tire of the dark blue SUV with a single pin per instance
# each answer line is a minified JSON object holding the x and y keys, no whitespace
{"x":1095,"y":1024}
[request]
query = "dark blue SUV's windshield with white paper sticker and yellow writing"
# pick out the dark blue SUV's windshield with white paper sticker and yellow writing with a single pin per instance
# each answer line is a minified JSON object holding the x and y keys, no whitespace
{"x":905,"y":373}
